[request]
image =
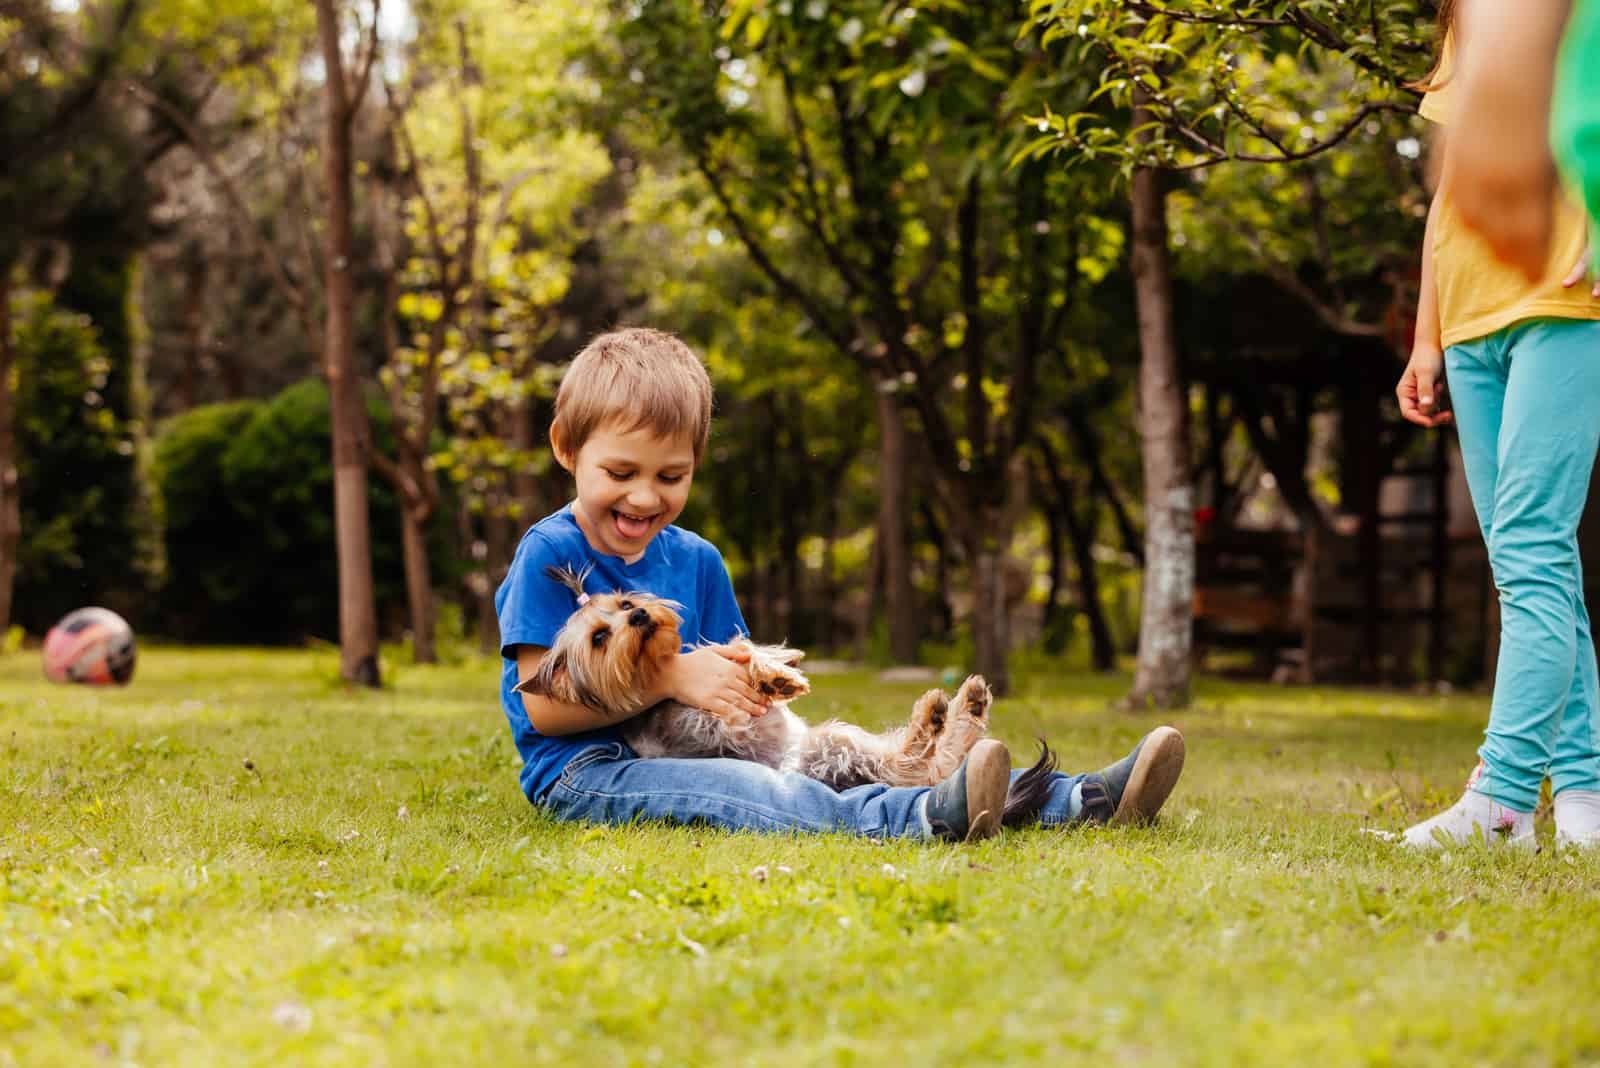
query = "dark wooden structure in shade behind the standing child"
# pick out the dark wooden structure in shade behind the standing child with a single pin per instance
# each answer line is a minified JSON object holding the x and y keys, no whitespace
{"x":1388,"y":588}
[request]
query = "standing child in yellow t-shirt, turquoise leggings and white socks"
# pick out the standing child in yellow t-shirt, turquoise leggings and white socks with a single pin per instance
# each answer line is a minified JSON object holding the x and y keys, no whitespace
{"x":1522,"y":364}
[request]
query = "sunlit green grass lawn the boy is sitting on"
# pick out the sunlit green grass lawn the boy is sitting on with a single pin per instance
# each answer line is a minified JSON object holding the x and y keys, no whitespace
{"x":238,"y":861}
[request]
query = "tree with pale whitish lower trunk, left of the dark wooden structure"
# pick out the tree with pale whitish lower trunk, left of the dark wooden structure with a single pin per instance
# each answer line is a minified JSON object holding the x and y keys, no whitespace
{"x":1183,"y":86}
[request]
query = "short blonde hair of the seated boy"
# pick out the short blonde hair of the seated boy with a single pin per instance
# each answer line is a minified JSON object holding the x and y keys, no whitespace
{"x":639,"y":378}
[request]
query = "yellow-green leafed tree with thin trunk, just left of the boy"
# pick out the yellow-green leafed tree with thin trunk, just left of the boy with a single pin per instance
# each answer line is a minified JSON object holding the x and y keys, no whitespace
{"x":474,"y":250}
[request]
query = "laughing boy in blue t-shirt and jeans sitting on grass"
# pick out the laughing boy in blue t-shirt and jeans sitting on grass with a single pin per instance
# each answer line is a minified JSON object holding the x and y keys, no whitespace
{"x":631,"y":424}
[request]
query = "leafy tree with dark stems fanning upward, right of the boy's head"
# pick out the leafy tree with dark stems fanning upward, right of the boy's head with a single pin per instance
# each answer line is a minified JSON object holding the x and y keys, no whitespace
{"x":868,"y":132}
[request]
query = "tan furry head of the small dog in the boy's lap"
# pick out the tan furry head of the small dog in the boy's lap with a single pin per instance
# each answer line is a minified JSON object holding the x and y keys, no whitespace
{"x":610,"y":653}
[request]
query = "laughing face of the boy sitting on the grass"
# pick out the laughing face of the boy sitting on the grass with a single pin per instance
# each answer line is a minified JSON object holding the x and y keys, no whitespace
{"x":631,"y":485}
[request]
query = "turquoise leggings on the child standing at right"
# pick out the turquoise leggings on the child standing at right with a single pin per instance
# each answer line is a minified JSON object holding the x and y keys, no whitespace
{"x":1527,"y":404}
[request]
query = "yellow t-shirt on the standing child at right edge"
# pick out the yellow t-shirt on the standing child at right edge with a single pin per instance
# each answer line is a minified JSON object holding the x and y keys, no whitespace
{"x":1479,"y":295}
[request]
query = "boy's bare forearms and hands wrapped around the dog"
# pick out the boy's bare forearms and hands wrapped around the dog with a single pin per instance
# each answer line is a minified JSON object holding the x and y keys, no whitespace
{"x":711,"y":679}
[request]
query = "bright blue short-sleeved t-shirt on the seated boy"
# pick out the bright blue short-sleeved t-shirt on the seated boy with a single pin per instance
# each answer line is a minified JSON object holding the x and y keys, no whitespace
{"x":678,"y":565}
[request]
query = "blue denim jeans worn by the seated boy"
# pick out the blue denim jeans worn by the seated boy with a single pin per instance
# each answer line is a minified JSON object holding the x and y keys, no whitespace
{"x":610,"y":784}
